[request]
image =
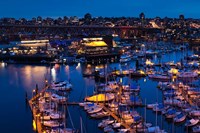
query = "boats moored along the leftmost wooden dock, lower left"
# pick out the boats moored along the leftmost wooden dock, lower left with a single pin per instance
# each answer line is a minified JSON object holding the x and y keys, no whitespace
{"x":51,"y":118}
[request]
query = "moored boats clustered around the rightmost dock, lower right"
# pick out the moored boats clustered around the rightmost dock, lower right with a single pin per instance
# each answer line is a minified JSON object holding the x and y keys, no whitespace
{"x":177,"y":106}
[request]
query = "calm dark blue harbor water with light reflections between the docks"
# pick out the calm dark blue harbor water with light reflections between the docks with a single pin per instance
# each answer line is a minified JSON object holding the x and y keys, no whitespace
{"x":17,"y":80}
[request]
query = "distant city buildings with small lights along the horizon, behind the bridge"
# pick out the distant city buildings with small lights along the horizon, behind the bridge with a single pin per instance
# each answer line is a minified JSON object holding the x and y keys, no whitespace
{"x":181,"y":29}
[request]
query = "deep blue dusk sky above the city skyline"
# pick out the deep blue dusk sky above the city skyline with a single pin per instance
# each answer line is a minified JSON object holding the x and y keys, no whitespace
{"x":108,"y":8}
